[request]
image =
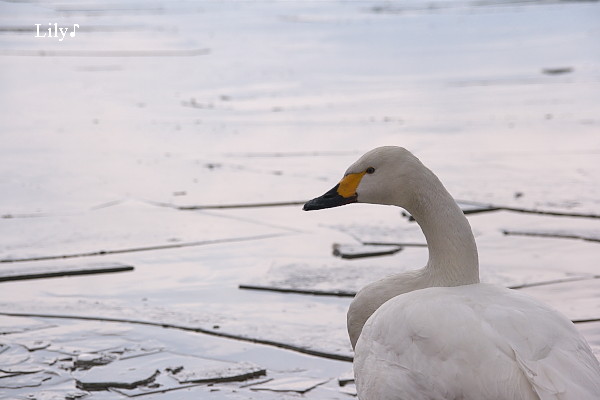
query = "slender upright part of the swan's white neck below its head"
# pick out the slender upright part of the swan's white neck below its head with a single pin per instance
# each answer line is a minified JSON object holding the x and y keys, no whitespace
{"x":453,"y":256}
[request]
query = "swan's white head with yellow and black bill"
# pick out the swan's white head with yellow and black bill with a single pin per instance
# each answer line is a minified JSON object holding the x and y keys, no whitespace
{"x":385,"y":175}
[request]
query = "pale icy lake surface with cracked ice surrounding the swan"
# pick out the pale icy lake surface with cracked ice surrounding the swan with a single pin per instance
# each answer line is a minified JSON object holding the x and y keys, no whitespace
{"x":165,"y":104}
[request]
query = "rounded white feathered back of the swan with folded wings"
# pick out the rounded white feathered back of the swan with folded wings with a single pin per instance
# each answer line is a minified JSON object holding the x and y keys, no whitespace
{"x":472,"y":342}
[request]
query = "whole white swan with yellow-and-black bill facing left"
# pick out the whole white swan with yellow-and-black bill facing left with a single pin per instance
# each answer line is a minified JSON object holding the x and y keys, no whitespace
{"x":437,"y":332}
